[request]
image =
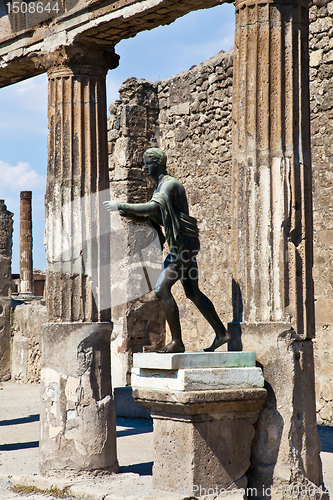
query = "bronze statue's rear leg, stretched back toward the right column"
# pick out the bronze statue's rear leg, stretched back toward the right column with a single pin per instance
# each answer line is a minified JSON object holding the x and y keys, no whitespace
{"x":191,"y":287}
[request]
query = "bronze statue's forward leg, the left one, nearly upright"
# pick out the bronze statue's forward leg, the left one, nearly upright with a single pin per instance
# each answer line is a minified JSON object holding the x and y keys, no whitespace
{"x":168,"y":277}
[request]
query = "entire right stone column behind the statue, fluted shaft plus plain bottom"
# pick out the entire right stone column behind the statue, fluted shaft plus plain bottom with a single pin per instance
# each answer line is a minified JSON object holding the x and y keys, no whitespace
{"x":272,"y":233}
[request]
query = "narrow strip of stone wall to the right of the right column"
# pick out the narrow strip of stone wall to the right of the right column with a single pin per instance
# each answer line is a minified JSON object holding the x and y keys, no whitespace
{"x":321,"y":87}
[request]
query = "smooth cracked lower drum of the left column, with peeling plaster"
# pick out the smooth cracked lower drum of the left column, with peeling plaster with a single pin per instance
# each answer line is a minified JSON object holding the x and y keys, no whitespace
{"x":78,"y":423}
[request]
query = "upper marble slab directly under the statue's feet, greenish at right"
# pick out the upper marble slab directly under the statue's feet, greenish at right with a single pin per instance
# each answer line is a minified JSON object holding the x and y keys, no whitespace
{"x":166,"y":361}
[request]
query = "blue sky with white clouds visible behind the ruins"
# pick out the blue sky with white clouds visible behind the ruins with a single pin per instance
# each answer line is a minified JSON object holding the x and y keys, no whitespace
{"x":153,"y":55}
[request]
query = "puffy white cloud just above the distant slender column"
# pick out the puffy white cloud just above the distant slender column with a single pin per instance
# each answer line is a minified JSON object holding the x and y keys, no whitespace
{"x":20,"y":177}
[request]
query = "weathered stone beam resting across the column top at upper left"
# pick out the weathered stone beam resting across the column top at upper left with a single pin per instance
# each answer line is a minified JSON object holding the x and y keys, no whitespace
{"x":32,"y":35}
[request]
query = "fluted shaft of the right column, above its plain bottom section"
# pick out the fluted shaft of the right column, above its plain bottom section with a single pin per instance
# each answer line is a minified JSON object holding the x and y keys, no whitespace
{"x":272,"y":237}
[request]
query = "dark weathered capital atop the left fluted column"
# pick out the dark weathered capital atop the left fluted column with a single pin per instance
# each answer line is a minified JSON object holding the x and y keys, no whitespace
{"x":78,"y":58}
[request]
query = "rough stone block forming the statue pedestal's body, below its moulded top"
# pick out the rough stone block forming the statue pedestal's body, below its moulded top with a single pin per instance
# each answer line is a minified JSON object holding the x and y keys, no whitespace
{"x":197,"y":453}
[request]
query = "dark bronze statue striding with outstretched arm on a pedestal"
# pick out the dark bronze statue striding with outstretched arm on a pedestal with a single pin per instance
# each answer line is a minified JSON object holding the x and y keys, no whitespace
{"x":169,"y":208}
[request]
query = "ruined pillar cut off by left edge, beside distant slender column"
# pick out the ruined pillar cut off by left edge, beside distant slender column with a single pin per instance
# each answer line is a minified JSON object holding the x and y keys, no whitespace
{"x":6,"y":232}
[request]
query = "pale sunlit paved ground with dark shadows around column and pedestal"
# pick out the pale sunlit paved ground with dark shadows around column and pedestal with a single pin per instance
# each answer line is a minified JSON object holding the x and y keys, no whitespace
{"x":19,"y":434}
